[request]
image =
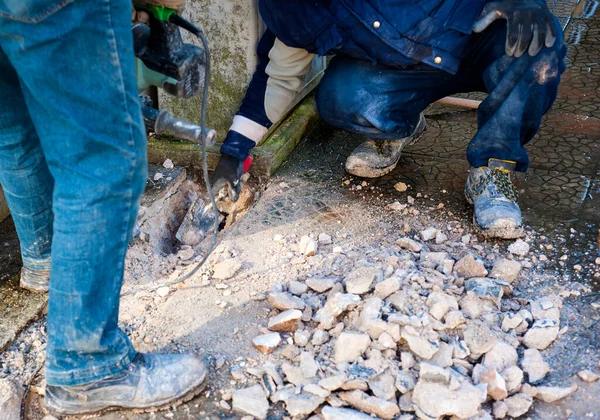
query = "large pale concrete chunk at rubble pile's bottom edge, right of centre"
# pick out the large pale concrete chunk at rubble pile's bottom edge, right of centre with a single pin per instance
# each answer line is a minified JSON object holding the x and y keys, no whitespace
{"x":433,"y":400}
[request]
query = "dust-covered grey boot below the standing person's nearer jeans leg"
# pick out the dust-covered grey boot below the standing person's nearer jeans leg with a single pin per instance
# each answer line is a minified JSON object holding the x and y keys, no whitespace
{"x":150,"y":382}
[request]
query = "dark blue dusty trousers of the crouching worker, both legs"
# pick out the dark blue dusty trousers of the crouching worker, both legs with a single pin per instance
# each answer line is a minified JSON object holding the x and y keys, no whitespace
{"x":384,"y":102}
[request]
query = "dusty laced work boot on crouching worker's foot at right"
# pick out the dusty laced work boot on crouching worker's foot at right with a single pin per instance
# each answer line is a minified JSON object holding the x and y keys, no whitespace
{"x":494,"y":198}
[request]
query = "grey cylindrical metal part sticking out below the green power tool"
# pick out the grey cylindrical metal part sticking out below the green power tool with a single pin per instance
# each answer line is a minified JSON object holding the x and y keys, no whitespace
{"x":164,"y":123}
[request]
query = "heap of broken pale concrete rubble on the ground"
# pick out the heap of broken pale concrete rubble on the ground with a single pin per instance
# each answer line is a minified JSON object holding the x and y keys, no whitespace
{"x":417,"y":334}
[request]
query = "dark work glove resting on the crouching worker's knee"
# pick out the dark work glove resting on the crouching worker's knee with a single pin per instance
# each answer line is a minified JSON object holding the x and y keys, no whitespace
{"x":530,"y":24}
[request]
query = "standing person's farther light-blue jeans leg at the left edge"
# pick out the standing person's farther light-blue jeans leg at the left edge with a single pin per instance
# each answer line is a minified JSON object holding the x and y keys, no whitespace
{"x":24,"y":175}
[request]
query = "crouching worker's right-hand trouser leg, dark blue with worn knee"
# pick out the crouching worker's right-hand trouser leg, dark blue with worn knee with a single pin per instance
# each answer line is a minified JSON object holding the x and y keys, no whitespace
{"x":521,"y":90}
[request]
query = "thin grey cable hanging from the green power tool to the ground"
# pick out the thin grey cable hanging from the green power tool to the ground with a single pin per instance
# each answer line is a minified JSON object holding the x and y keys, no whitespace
{"x":190,"y":27}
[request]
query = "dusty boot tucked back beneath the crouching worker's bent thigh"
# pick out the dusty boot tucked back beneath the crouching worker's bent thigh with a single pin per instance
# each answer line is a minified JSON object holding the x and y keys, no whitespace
{"x":375,"y":158}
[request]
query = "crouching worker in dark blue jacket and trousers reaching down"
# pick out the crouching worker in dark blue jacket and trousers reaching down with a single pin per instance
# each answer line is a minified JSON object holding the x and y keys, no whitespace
{"x":392,"y":60}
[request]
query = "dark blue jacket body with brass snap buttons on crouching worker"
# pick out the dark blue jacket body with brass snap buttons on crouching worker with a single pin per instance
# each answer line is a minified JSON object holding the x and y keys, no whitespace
{"x":392,"y":32}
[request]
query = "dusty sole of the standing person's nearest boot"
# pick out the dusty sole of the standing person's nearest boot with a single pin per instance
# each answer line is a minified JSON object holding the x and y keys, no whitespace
{"x":96,"y":411}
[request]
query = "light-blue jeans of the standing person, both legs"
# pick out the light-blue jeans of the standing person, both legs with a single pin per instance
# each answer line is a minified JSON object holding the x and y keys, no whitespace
{"x":73,"y":167}
